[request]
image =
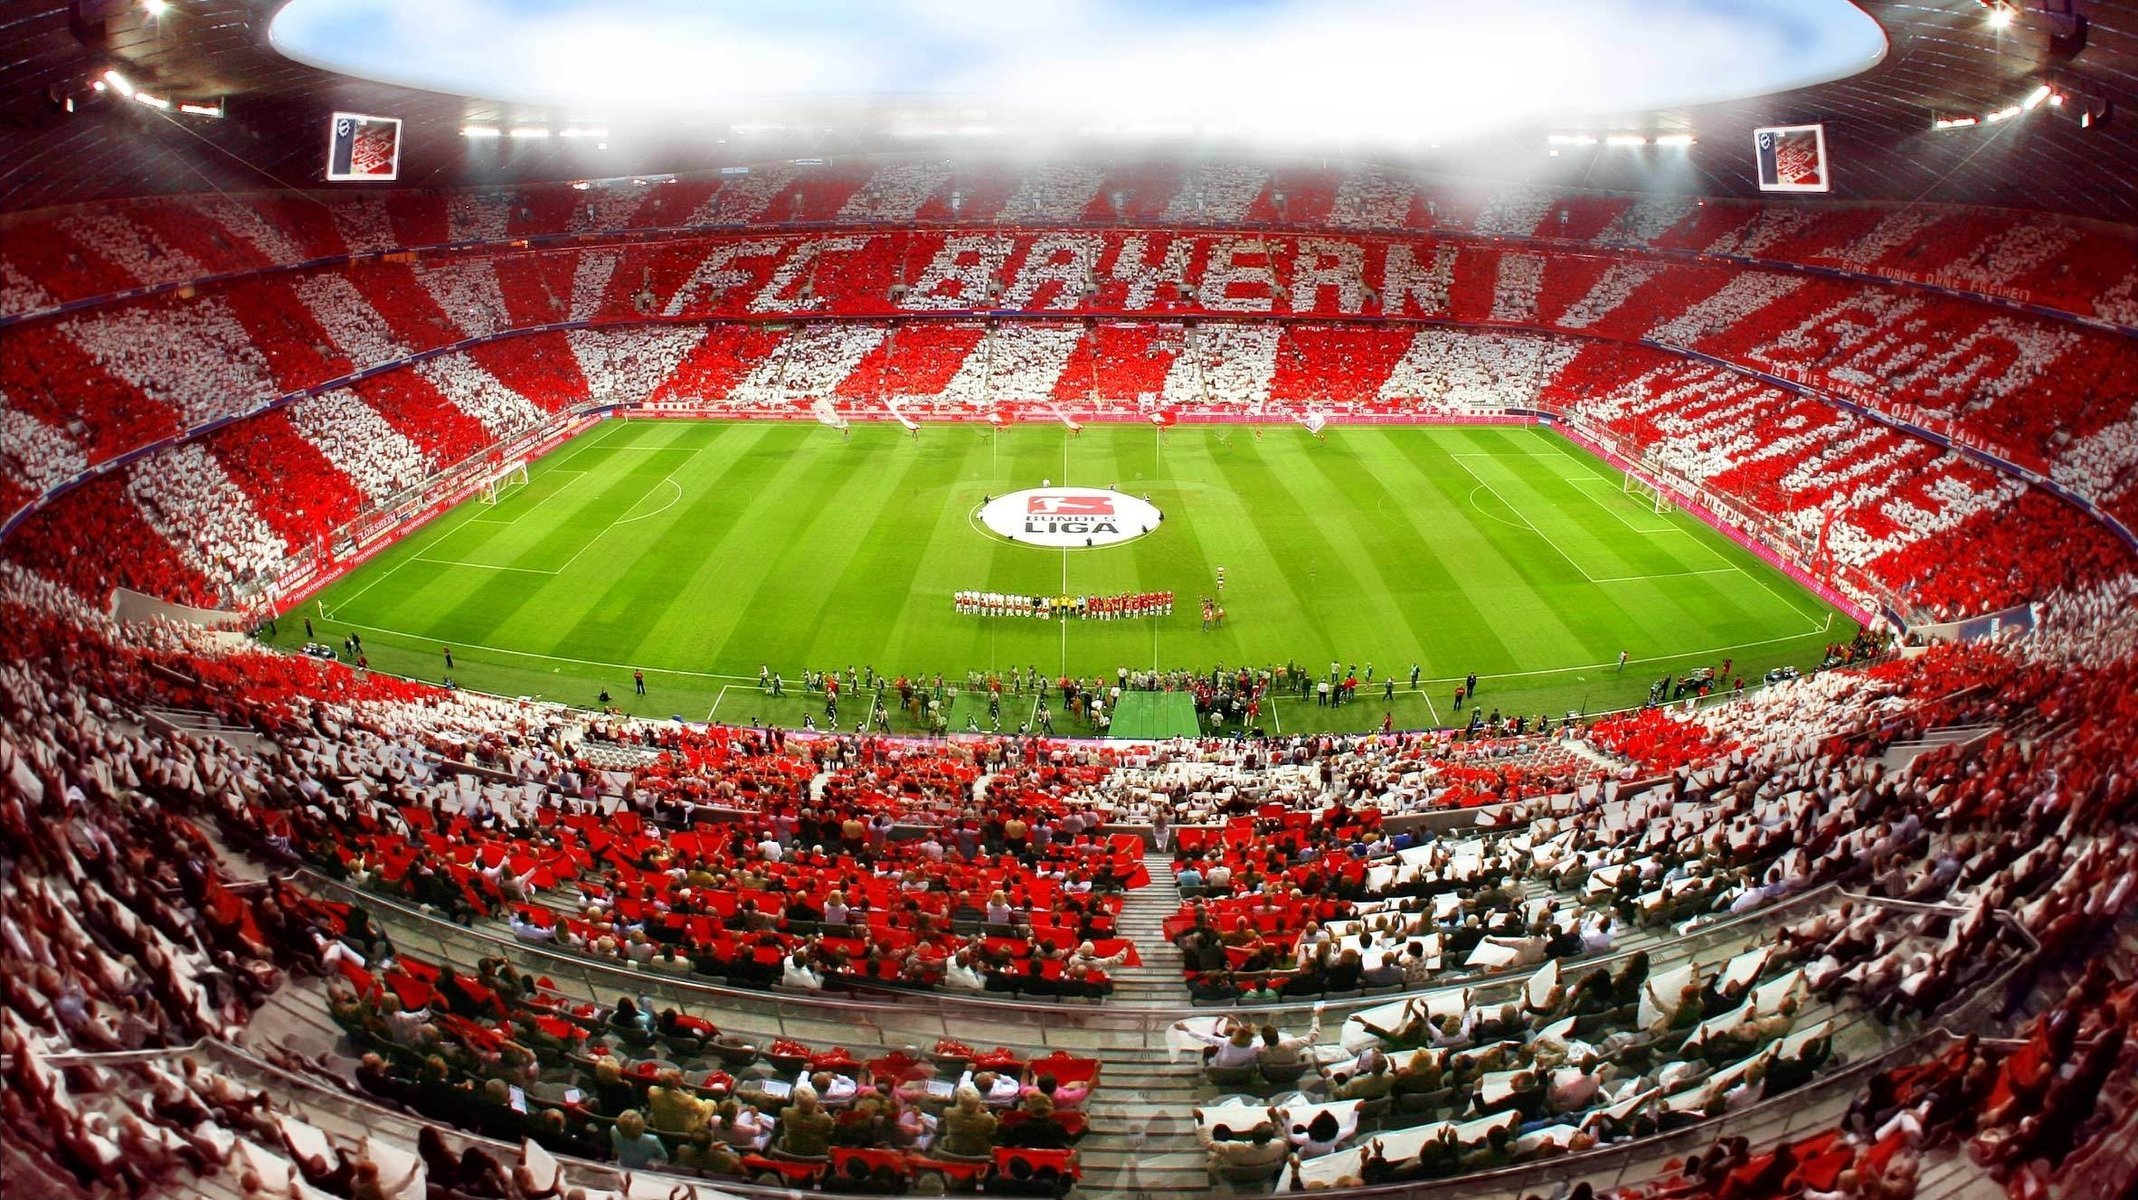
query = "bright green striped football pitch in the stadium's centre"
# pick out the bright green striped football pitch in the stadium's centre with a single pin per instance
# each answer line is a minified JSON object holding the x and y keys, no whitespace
{"x":700,"y":551}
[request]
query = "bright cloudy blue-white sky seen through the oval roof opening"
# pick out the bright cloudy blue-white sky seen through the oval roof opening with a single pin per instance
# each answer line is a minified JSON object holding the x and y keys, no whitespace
{"x":1369,"y":70}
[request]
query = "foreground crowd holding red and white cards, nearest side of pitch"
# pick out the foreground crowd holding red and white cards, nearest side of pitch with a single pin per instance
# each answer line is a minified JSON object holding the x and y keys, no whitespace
{"x":131,"y":944}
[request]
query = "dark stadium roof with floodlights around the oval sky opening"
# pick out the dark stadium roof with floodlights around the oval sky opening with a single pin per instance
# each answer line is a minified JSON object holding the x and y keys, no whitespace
{"x":1949,"y":59}
